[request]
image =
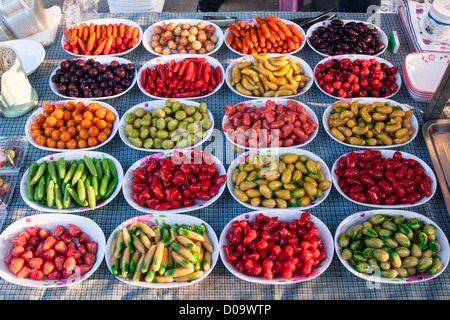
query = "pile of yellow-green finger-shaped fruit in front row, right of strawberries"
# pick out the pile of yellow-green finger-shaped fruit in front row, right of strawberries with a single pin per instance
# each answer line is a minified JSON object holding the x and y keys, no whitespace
{"x":161,"y":253}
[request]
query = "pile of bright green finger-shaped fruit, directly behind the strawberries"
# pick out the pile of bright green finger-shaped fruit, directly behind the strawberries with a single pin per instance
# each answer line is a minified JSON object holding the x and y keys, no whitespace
{"x":63,"y":184}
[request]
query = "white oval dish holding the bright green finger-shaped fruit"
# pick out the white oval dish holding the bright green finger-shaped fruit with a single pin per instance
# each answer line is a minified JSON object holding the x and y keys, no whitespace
{"x":72,"y":155}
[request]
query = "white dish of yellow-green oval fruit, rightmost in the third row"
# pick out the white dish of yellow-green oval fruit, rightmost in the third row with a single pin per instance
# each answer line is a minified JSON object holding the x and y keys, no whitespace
{"x":329,"y":110}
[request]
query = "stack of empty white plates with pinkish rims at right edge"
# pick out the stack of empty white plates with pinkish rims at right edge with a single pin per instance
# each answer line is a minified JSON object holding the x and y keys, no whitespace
{"x":422,"y":72}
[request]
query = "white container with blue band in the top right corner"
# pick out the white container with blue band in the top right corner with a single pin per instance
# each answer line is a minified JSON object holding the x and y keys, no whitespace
{"x":436,"y":26}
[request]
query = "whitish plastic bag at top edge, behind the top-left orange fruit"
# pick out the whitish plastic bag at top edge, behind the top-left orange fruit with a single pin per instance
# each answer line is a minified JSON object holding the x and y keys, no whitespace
{"x":76,"y":11}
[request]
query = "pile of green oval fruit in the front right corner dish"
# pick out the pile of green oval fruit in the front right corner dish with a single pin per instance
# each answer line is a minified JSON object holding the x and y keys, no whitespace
{"x":397,"y":246}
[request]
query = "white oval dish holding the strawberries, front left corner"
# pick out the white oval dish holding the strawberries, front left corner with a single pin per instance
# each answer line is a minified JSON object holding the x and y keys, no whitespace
{"x":50,"y":221}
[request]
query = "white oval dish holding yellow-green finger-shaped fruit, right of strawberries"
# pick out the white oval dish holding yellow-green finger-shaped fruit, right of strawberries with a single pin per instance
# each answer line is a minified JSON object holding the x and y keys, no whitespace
{"x":170,"y":219}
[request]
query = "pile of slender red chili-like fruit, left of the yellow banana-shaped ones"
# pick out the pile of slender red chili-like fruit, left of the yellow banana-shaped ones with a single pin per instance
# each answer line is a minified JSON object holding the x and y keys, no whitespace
{"x":190,"y":77}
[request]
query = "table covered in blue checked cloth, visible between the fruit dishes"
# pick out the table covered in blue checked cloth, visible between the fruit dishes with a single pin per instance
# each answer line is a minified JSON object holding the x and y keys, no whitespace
{"x":335,"y":283}
